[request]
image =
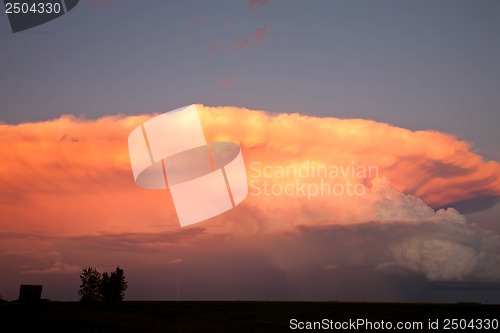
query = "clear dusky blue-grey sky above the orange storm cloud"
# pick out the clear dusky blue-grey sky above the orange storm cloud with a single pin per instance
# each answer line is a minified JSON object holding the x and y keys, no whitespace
{"x":414,"y":64}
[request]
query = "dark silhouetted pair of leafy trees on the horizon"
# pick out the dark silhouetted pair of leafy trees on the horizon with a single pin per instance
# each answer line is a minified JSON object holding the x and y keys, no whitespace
{"x":97,"y":287}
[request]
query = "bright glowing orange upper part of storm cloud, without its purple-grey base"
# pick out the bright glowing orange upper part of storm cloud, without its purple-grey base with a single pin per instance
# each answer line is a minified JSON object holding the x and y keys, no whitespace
{"x":79,"y":169}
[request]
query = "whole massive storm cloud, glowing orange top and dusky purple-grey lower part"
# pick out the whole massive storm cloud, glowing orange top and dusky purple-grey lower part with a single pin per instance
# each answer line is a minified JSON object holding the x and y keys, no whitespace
{"x":66,"y":187}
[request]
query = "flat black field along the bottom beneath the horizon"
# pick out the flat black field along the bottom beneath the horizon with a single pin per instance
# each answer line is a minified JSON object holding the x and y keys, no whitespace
{"x":227,"y":316}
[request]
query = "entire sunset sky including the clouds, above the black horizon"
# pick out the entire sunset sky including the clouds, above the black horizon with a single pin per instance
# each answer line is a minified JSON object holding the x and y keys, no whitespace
{"x":409,"y":88}
